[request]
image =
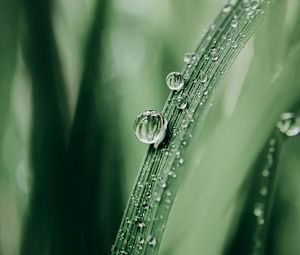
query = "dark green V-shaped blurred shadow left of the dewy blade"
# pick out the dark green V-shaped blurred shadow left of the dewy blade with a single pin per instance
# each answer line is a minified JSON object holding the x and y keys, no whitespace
{"x":76,"y":206}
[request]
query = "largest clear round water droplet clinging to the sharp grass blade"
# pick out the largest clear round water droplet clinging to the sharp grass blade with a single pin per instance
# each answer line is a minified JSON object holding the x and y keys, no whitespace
{"x":150,"y":127}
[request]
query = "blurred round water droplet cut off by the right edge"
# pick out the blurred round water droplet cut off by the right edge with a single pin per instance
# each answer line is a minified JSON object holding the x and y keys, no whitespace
{"x":289,"y":124}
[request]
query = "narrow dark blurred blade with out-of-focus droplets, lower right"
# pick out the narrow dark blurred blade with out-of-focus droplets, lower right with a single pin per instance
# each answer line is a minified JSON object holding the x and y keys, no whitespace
{"x":252,"y":232}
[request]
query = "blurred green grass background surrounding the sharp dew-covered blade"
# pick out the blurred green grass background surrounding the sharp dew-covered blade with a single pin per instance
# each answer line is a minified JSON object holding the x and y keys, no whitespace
{"x":73,"y":76}
